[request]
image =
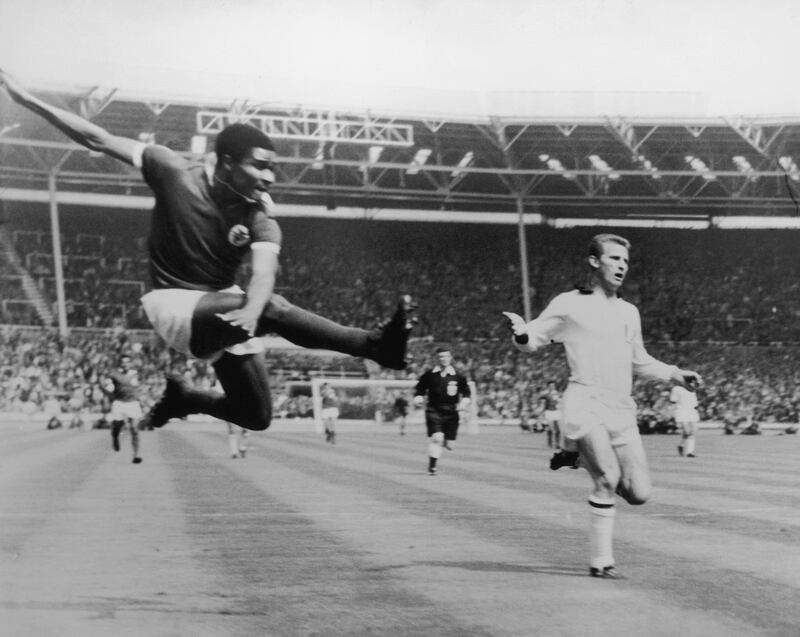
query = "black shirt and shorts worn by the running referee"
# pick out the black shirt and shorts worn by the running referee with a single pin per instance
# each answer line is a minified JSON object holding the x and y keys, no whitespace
{"x":444,"y":388}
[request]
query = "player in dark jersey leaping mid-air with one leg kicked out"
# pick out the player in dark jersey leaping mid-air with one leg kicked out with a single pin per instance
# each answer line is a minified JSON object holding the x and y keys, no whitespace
{"x":207,"y":219}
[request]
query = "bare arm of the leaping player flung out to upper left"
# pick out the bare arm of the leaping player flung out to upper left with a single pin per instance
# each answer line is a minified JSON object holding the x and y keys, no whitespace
{"x":73,"y":126}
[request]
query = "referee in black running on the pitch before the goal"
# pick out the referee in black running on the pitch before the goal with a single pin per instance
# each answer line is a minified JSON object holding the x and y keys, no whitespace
{"x":447,"y":391}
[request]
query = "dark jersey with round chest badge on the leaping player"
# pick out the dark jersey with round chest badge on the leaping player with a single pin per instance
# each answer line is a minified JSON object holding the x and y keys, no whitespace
{"x":194,"y":244}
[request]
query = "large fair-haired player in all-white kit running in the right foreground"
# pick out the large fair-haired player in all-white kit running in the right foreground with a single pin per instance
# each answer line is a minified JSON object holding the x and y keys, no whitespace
{"x":602,"y":336}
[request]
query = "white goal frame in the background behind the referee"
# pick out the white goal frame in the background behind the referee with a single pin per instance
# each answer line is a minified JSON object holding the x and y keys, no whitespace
{"x":372,"y":400}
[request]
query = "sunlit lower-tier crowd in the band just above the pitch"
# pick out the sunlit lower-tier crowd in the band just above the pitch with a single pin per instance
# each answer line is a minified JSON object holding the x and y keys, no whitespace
{"x":758,"y":382}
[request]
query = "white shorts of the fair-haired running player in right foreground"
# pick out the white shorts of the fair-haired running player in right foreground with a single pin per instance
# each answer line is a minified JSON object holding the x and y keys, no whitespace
{"x":585,"y":407}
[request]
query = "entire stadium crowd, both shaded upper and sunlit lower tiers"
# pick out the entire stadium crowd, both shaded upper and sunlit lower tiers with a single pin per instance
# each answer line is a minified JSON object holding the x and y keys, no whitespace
{"x":694,"y":289}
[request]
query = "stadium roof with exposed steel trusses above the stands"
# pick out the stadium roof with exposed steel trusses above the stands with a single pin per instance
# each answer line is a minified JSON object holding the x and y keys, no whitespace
{"x":571,"y":166}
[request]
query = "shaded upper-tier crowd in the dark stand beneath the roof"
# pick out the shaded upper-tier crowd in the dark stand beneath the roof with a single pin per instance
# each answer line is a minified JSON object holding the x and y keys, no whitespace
{"x":749,"y":290}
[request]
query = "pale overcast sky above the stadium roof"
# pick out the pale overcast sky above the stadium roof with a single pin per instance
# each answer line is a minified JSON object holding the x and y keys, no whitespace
{"x":740,"y":55}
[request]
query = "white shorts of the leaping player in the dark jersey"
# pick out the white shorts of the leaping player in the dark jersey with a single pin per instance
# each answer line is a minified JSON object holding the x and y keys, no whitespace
{"x":170,"y":313}
